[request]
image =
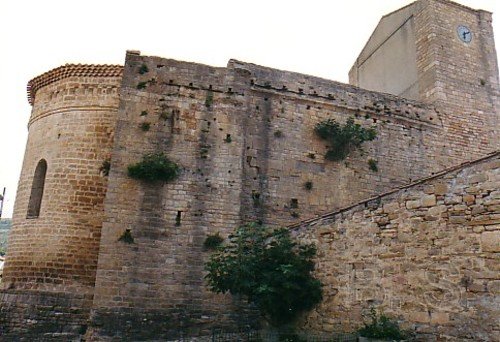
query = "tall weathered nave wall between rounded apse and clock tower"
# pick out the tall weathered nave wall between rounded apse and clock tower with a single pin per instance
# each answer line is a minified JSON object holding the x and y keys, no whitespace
{"x":244,"y":136}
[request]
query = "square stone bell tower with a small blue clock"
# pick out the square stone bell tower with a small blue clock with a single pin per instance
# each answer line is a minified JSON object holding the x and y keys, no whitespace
{"x":442,"y":53}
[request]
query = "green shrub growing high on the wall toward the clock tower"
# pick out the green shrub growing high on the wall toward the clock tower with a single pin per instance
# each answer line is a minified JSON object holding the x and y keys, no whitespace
{"x":343,"y":139}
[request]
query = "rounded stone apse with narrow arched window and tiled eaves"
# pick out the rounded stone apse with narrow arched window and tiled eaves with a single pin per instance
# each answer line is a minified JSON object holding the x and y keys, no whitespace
{"x":58,"y":213}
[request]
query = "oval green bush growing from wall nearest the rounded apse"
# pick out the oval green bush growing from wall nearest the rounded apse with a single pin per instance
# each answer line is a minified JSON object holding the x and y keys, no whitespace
{"x":154,"y":167}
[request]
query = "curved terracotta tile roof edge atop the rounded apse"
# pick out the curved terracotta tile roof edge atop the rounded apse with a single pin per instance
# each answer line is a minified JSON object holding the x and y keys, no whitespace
{"x":69,"y":70}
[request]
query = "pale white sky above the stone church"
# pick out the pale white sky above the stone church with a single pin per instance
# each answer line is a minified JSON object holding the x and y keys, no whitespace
{"x":316,"y":37}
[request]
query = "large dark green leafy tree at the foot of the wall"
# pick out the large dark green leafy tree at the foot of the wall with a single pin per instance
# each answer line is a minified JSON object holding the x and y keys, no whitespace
{"x":269,"y":269}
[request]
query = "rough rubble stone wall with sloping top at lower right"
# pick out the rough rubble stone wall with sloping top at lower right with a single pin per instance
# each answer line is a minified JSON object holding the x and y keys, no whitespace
{"x":426,"y":254}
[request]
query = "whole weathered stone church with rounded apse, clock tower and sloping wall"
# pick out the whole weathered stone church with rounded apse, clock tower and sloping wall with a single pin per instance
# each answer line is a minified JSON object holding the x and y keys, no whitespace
{"x":417,"y":236}
